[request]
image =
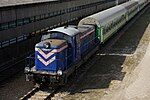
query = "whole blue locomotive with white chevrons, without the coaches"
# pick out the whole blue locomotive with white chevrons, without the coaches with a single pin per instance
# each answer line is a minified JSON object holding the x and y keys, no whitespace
{"x":60,"y":52}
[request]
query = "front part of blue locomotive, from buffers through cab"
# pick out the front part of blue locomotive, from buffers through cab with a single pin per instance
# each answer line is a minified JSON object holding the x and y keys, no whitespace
{"x":54,"y":55}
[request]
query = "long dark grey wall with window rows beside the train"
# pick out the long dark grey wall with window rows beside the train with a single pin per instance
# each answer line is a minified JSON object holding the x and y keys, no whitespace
{"x":11,"y":18}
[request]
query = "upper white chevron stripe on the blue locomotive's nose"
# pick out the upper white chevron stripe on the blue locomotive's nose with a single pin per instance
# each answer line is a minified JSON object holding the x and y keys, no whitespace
{"x":50,"y":53}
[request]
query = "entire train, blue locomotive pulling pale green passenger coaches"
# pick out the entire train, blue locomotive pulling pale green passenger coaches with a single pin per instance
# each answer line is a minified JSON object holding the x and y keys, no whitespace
{"x":62,"y":50}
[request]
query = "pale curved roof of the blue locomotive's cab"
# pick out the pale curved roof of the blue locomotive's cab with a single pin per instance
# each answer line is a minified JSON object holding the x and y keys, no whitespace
{"x":68,"y":30}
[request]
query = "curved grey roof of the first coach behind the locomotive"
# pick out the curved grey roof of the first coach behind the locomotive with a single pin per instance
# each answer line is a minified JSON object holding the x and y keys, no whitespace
{"x":103,"y":17}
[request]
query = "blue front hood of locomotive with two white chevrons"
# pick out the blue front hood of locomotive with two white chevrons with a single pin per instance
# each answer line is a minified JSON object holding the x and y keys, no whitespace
{"x":50,"y":55}
